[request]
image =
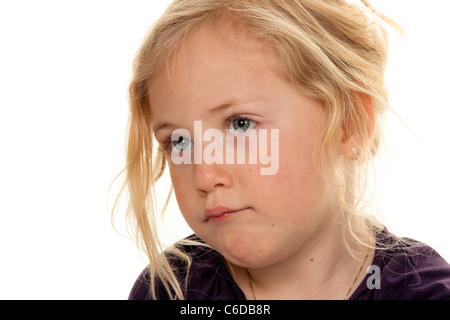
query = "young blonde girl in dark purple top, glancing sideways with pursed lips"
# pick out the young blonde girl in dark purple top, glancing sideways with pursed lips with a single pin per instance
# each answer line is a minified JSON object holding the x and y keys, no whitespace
{"x":303,"y":81}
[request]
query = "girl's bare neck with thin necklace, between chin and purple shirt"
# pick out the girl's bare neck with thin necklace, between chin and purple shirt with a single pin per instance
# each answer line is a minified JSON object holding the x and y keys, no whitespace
{"x":323,"y":269}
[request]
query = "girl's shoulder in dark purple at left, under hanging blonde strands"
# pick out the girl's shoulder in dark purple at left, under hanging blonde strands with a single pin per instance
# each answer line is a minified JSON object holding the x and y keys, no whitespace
{"x":204,"y":277}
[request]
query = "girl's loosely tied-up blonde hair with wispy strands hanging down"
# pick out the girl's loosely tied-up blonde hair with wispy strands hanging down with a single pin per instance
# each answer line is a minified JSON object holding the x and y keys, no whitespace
{"x":333,"y":50}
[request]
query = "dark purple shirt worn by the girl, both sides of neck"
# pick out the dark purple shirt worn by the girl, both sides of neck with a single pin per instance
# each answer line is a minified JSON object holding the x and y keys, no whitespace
{"x":413,"y":271}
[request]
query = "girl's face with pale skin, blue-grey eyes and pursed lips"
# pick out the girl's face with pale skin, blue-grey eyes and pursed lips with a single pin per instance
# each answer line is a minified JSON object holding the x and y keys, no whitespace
{"x":277,"y":216}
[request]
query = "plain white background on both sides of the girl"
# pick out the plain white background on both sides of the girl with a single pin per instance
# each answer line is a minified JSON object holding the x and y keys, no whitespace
{"x":64,"y":71}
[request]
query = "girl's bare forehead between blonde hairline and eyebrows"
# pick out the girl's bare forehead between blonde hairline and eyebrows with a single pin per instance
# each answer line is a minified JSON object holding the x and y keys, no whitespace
{"x":211,"y":61}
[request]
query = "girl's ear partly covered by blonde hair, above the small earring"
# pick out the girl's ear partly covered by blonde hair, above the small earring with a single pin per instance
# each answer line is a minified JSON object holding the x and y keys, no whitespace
{"x":351,"y":137}
